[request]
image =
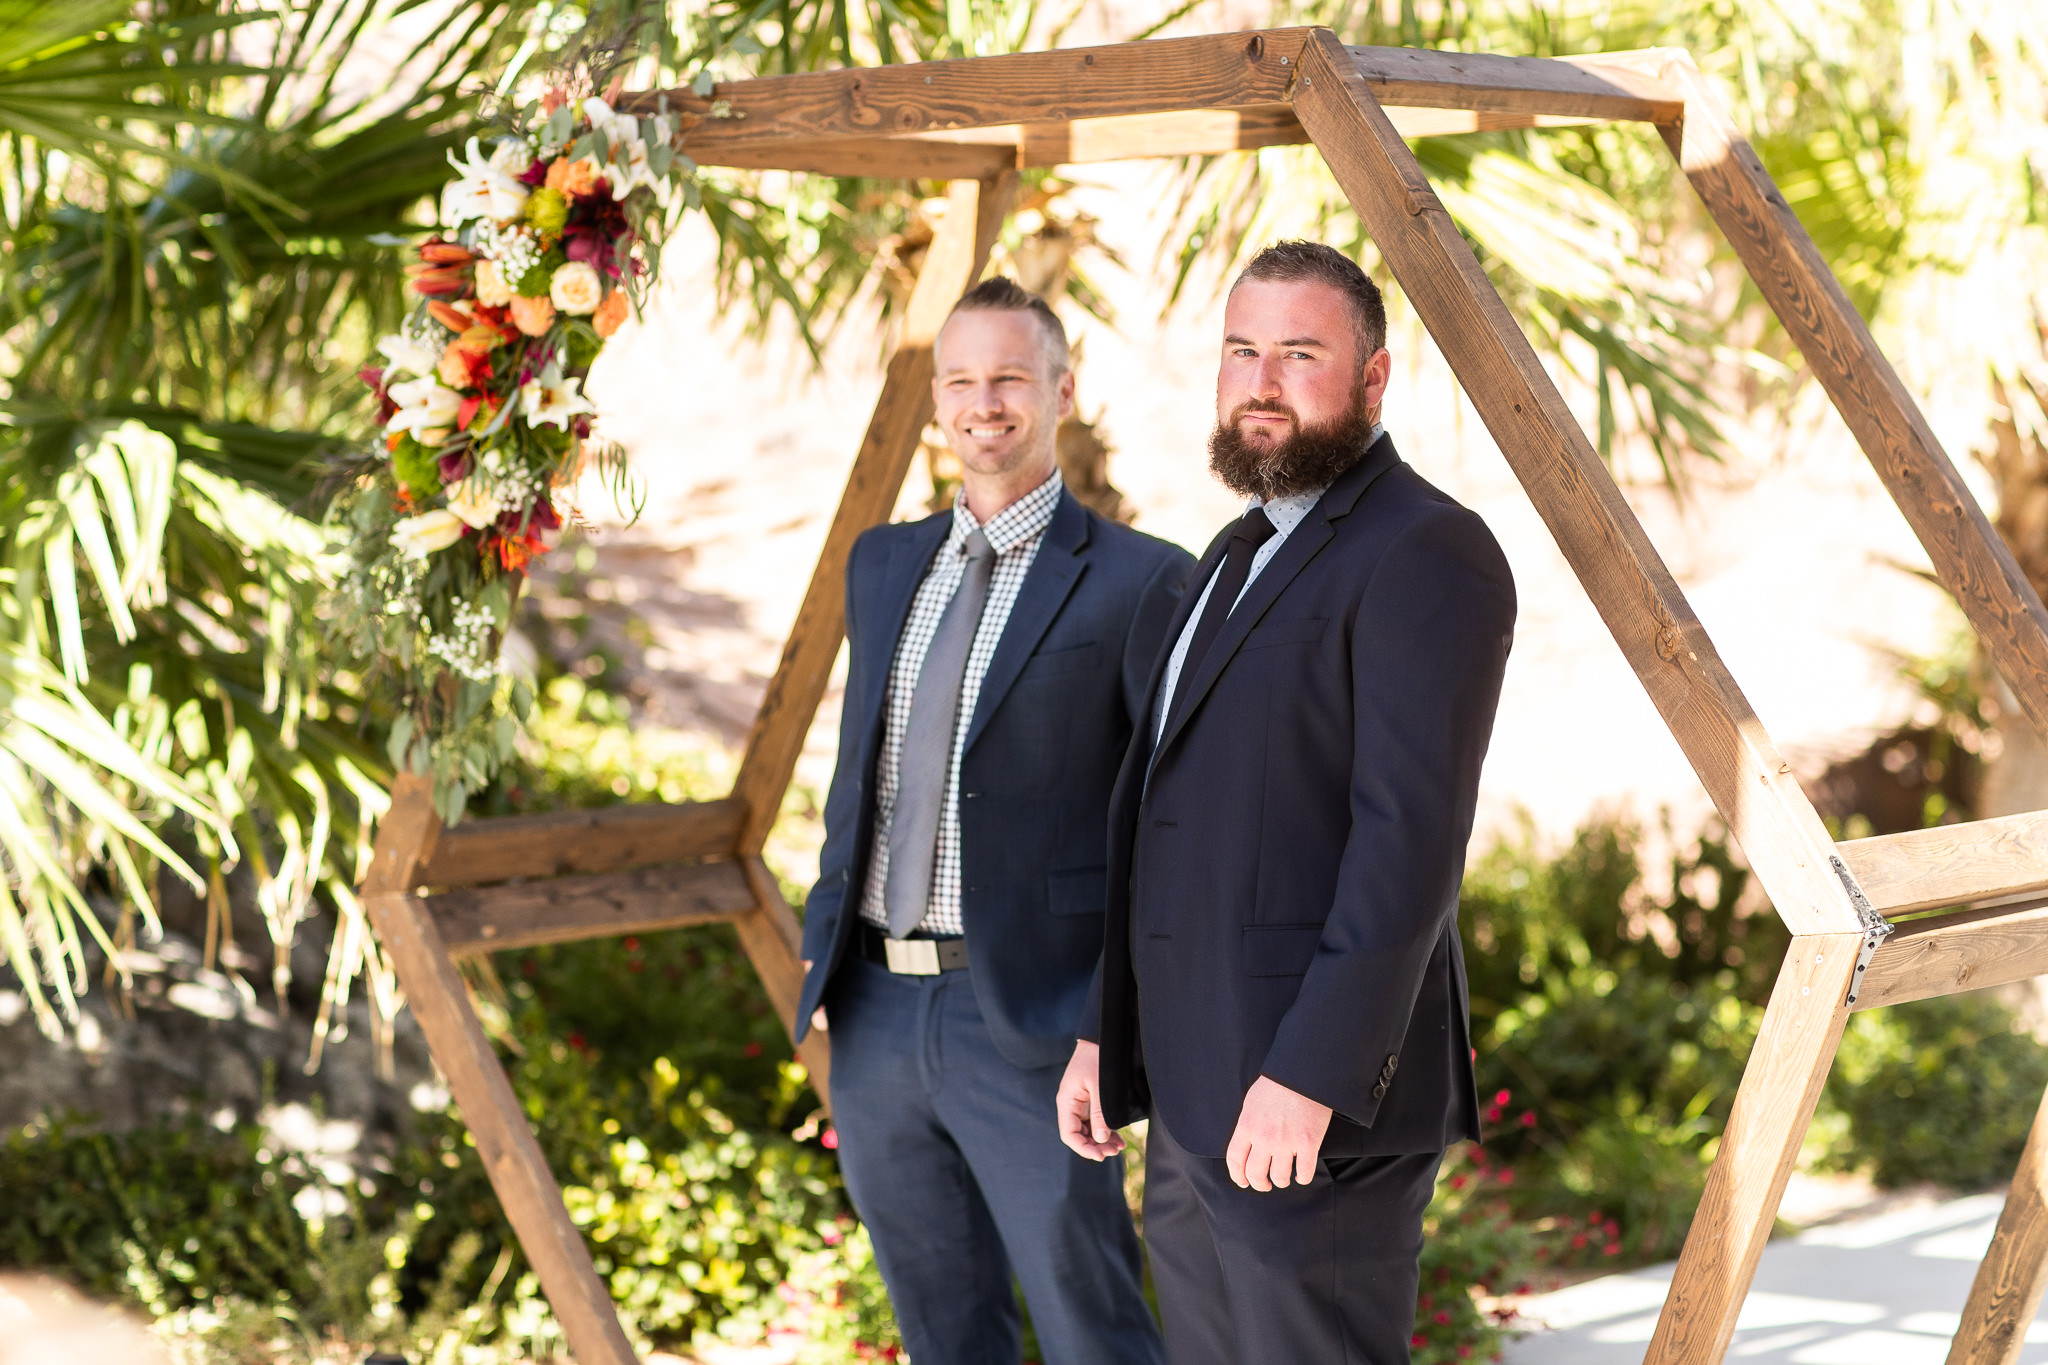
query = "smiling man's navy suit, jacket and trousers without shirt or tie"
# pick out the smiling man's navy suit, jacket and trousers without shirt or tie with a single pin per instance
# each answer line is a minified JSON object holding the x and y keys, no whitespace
{"x":945,"y":1086}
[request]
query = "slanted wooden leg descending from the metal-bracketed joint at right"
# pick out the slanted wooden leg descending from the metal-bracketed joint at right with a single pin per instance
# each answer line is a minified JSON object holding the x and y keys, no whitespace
{"x":1758,"y":1151}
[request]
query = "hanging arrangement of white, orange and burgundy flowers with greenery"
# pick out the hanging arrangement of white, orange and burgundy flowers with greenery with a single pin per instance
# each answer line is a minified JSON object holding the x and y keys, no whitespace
{"x":546,"y":245}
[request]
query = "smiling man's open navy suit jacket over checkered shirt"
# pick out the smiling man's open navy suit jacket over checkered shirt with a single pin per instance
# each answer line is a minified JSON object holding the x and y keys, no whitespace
{"x":1043,"y":750}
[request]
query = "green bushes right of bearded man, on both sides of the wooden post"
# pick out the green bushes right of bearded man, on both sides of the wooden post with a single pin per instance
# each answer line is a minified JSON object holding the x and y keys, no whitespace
{"x":1613,"y":1022}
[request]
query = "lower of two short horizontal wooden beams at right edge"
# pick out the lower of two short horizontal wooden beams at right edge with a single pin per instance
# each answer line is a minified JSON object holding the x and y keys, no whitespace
{"x":1967,"y":951}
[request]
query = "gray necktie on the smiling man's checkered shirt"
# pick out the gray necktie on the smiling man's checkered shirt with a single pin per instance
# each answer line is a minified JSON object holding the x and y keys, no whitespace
{"x":927,"y":758}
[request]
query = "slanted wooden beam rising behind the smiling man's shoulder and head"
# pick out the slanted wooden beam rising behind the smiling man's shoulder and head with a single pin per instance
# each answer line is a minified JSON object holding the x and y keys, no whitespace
{"x":953,"y":263}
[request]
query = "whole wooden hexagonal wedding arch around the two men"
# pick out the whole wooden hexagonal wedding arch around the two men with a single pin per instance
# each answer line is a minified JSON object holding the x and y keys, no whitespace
{"x":976,"y":122}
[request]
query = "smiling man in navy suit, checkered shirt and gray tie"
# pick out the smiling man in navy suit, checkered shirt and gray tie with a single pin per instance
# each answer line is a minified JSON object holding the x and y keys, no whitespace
{"x":998,"y":666}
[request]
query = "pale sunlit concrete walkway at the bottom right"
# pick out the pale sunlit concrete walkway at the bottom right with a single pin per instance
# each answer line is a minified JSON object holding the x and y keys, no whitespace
{"x":1881,"y":1290}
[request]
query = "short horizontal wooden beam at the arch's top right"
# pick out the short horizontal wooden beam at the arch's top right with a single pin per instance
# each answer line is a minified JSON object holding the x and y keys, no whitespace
{"x":1527,"y":87}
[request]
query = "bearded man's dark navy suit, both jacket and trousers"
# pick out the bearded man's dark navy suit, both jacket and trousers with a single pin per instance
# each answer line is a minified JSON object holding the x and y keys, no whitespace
{"x":1285,"y":875}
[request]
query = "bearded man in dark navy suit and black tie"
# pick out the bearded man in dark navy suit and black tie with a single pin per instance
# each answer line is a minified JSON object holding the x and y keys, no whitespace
{"x":1287,"y":842}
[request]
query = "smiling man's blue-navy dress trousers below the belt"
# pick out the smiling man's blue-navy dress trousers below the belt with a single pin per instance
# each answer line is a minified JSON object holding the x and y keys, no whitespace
{"x":955,"y":1165}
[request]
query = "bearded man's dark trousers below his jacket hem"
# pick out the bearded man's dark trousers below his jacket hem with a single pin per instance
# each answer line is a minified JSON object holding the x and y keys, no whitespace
{"x":1320,"y":1274}
